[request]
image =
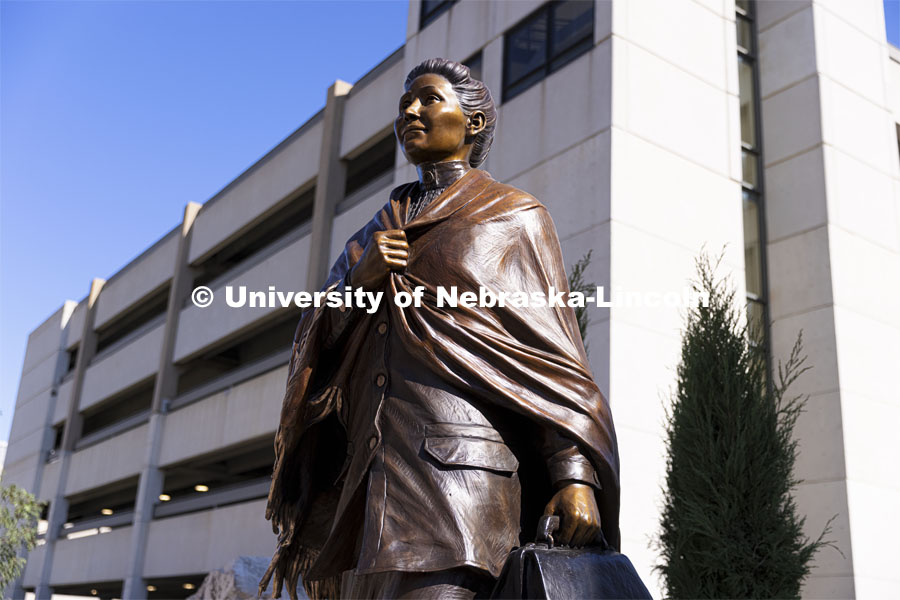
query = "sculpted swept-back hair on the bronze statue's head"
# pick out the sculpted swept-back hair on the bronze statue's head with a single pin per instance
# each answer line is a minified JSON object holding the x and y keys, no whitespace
{"x":472,"y":94}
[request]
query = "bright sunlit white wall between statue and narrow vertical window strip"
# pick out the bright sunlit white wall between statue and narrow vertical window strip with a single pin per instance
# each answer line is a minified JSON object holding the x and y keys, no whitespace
{"x":662,"y":92}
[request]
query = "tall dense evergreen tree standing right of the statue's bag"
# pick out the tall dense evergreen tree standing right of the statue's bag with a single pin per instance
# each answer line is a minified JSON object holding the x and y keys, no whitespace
{"x":730,"y":527}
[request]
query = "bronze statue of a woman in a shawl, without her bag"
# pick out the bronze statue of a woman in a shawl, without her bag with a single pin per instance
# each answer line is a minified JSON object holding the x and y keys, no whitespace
{"x":418,"y":446}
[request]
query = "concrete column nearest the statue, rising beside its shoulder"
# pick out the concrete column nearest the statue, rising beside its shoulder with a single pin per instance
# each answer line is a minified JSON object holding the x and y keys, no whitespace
{"x":329,"y":185}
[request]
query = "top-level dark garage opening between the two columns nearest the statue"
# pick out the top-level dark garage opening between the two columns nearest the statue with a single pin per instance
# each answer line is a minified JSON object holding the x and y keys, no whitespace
{"x":264,"y":234}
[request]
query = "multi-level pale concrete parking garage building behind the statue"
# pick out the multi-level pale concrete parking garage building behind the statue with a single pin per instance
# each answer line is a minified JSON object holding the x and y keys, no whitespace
{"x":650,"y":130}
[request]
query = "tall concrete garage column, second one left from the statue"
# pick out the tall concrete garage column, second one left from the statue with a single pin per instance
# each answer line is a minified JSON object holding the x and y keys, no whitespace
{"x":151,"y":478}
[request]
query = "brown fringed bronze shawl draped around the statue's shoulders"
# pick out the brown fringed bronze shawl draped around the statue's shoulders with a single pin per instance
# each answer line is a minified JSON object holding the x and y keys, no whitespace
{"x":529,"y":360}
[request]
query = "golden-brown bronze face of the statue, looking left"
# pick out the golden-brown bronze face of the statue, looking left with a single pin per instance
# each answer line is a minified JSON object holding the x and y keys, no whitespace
{"x":431,"y":126}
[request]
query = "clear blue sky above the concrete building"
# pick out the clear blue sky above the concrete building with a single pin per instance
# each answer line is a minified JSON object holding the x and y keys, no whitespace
{"x":114,"y":115}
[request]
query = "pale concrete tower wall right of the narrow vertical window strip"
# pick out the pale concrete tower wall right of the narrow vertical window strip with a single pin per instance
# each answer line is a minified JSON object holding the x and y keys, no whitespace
{"x":834,"y":254}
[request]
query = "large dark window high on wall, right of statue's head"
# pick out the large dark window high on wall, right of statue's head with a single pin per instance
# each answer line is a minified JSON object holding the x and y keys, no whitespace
{"x":547,"y":40}
